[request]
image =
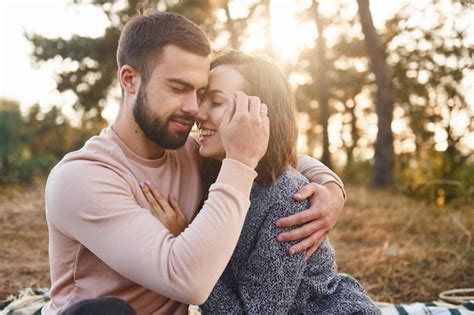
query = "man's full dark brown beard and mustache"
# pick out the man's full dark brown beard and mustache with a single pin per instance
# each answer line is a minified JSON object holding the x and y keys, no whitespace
{"x":156,"y":128}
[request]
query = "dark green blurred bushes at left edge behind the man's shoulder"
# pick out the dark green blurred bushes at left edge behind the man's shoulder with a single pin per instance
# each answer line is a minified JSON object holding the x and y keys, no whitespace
{"x":31,"y":145}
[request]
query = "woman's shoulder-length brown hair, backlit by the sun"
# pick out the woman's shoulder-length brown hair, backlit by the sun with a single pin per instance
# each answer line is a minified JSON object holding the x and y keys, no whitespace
{"x":265,"y":80}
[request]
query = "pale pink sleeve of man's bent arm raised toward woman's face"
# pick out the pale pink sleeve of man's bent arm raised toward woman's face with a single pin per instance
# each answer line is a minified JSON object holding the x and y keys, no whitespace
{"x":94,"y":204}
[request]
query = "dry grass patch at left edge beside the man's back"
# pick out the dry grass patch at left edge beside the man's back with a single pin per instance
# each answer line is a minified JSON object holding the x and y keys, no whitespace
{"x":23,"y":240}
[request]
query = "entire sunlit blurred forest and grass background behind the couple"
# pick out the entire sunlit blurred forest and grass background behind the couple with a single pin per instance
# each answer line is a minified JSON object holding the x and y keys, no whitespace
{"x":385,"y":95}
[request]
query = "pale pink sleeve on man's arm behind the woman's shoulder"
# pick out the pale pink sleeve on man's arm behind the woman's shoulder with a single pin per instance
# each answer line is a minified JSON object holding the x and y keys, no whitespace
{"x":318,"y":173}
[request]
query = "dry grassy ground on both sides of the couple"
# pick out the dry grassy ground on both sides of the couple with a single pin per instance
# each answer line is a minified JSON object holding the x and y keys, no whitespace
{"x":401,"y":250}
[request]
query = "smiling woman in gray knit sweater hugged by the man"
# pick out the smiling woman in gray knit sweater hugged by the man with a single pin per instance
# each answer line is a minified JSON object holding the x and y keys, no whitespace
{"x":261,"y":277}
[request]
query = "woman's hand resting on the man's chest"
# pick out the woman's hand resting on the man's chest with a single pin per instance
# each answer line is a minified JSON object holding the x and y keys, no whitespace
{"x":167,"y":211}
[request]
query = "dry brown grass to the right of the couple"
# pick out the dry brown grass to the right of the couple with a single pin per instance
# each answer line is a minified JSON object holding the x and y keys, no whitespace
{"x":404,"y":250}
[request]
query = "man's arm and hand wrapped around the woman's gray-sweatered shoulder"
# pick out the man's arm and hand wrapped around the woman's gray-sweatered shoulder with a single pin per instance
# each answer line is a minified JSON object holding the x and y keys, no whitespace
{"x":327,"y":197}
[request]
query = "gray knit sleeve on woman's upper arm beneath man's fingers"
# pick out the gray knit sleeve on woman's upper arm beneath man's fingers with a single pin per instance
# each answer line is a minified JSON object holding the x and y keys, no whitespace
{"x":268,"y":281}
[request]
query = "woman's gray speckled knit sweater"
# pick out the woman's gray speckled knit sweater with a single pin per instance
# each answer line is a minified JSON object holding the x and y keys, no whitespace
{"x":261,"y":278}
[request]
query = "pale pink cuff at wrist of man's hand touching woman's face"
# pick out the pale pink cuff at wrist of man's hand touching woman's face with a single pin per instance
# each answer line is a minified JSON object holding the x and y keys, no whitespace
{"x":237,"y":175}
